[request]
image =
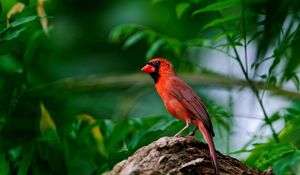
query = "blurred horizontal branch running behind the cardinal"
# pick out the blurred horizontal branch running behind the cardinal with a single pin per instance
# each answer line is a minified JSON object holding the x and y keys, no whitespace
{"x":96,"y":82}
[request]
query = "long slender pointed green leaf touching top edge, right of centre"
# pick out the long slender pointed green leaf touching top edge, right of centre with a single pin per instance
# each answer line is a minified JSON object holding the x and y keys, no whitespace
{"x":221,"y":5}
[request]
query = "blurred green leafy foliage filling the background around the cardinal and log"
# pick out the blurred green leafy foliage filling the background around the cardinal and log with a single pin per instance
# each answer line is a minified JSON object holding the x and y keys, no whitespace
{"x":66,"y":106}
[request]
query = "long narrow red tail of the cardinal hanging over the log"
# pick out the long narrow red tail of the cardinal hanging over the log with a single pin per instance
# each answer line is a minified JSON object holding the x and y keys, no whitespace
{"x":208,"y":138}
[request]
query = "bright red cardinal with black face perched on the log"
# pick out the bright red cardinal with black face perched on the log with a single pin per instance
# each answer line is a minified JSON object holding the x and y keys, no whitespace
{"x":181,"y":101}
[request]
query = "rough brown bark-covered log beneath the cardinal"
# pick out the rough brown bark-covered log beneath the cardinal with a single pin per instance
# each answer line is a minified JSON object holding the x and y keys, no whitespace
{"x":182,"y":156}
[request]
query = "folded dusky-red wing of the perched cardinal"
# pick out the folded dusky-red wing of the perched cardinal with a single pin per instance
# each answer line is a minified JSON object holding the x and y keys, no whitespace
{"x":191,"y":101}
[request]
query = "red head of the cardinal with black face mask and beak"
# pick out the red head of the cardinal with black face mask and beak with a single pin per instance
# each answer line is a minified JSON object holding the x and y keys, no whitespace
{"x":158,"y":67}
